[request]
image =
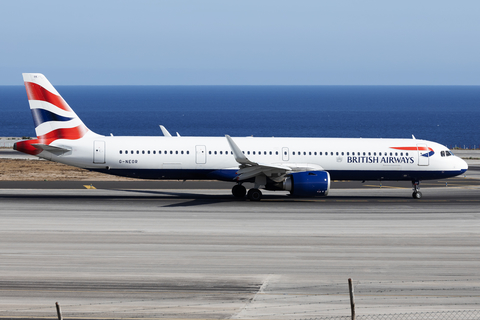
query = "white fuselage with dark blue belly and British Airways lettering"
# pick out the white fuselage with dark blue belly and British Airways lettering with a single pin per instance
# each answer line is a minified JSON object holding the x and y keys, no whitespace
{"x":212,"y":157}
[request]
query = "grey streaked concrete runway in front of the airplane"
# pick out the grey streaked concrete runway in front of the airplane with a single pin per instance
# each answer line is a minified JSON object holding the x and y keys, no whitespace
{"x":201,"y":254}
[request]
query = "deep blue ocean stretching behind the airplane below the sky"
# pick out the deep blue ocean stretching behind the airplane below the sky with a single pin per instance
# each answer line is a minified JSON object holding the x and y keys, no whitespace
{"x":449,"y":115}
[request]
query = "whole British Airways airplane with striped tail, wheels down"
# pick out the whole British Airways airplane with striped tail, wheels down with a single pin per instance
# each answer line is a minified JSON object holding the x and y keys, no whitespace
{"x":303,"y":166}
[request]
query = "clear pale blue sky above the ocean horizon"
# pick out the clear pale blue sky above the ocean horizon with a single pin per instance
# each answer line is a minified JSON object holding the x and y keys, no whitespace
{"x":241,"y":42}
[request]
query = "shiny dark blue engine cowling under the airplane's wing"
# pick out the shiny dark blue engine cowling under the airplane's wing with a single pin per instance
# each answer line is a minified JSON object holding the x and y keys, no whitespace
{"x":308,"y":183}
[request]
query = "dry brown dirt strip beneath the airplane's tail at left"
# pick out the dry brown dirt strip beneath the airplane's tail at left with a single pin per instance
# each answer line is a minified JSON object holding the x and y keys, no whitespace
{"x":42,"y":170}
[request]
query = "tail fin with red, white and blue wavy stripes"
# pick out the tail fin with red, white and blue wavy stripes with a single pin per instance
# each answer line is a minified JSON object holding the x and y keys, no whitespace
{"x":53,"y":117}
